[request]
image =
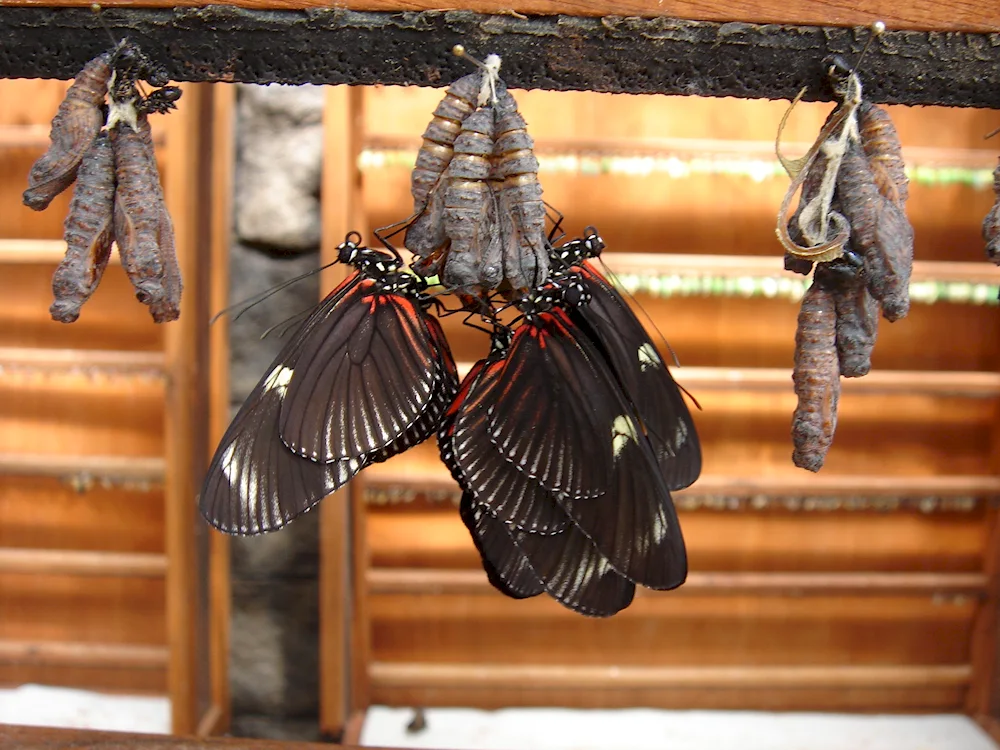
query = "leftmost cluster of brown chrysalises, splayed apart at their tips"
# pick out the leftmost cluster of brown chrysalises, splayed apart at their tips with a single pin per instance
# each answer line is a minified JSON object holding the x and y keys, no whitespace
{"x":100,"y":138}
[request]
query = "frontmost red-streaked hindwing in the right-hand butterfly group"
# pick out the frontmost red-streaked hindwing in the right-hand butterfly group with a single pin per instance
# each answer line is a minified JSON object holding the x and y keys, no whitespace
{"x":547,"y":418}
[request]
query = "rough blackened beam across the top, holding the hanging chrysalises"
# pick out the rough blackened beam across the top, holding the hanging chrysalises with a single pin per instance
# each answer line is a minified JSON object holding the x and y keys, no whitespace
{"x":619,"y":52}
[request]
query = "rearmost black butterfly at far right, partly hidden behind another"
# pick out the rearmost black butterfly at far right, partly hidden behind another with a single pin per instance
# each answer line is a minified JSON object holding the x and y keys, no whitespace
{"x":610,"y":323}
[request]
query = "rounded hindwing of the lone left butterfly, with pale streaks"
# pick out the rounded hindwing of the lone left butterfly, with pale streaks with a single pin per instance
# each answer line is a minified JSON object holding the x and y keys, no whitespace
{"x":369,"y":377}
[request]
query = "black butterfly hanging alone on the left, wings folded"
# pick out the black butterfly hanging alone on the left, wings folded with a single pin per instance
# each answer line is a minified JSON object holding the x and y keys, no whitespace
{"x":366,"y":376}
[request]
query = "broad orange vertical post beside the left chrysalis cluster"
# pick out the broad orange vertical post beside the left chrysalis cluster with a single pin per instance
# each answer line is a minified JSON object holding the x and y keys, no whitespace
{"x":186,"y":356}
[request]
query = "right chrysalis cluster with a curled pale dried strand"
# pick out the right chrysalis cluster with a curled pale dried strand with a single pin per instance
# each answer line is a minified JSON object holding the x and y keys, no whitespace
{"x":851,"y":224}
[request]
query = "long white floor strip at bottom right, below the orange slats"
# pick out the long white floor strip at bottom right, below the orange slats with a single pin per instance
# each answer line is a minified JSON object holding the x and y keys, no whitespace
{"x":642,"y":729}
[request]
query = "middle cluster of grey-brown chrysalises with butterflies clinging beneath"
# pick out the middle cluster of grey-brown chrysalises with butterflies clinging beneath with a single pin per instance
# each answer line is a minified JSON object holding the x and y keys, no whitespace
{"x":478,"y":217}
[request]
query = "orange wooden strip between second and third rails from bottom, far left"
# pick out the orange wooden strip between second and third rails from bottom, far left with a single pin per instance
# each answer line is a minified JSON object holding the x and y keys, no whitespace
{"x":49,"y":514}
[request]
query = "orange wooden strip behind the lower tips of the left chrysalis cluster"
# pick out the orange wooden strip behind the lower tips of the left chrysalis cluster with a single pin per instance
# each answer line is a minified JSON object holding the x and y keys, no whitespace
{"x":111,"y":319}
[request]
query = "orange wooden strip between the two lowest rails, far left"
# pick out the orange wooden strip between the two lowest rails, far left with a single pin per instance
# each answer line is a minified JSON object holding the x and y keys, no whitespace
{"x":67,"y":608}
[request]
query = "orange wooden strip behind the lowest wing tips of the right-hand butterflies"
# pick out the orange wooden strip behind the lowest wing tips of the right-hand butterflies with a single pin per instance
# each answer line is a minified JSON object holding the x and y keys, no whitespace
{"x":773,"y":541}
